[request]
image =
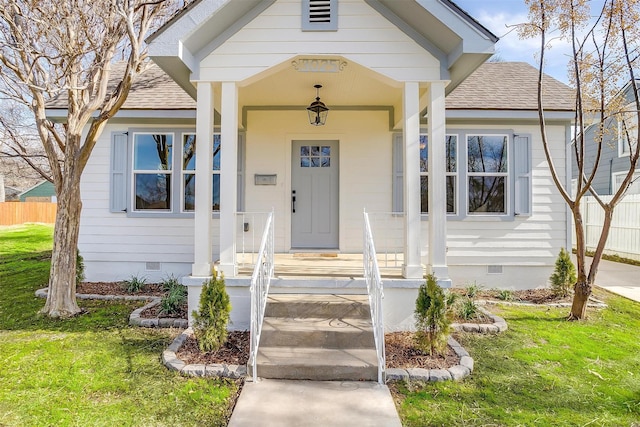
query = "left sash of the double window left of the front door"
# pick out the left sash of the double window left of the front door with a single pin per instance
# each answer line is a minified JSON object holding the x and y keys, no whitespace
{"x":152,"y":171}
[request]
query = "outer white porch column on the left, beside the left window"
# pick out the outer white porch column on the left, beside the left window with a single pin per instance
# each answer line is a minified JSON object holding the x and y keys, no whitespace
{"x":204,"y":165}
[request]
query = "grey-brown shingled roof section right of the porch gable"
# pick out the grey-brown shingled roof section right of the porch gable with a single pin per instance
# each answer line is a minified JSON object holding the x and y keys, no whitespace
{"x":509,"y":86}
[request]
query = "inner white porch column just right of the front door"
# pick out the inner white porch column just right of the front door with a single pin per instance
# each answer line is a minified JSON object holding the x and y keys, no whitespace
{"x":412,"y":269}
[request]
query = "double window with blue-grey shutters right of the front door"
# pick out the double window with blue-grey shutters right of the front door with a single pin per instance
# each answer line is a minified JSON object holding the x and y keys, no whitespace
{"x":496,"y":181}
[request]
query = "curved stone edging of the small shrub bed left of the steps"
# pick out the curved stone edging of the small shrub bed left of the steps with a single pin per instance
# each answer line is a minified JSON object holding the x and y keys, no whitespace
{"x":171,"y":361}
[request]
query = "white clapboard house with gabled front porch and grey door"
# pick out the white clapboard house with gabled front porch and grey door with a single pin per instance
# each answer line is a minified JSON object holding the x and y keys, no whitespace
{"x":238,"y":76}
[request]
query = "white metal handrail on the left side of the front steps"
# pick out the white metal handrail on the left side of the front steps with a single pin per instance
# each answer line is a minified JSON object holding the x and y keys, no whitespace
{"x":260,"y":281}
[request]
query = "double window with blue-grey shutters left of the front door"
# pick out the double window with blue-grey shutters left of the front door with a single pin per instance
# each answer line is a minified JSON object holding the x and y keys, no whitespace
{"x":152,"y":173}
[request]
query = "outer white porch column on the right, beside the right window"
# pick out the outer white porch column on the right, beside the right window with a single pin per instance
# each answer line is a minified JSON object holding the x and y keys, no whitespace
{"x":437,"y":161}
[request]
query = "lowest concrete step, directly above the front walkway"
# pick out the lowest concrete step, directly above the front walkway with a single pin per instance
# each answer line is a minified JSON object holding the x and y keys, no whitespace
{"x":317,"y":364}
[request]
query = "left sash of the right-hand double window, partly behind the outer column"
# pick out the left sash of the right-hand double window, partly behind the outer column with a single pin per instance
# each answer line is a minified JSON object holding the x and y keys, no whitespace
{"x":451,"y":172}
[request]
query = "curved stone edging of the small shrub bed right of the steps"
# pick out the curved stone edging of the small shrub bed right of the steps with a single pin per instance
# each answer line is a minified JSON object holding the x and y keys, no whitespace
{"x":455,"y":373}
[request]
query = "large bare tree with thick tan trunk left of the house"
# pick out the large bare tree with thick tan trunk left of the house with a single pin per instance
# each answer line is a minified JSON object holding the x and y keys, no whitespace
{"x":66,"y":48}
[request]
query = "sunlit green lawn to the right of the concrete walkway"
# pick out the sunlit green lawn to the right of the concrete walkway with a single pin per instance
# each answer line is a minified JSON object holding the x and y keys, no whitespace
{"x":544,"y":371}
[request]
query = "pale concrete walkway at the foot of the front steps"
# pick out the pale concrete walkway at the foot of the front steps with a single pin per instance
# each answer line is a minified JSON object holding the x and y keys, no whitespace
{"x":285,"y":403}
